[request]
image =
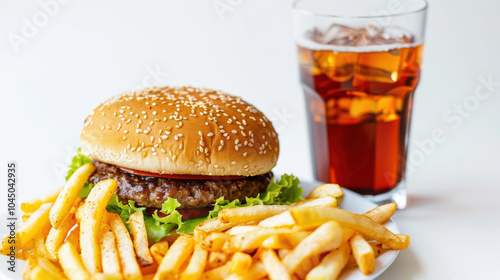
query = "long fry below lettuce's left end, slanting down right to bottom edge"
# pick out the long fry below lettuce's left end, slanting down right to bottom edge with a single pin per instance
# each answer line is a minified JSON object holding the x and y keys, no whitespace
{"x":131,"y":270}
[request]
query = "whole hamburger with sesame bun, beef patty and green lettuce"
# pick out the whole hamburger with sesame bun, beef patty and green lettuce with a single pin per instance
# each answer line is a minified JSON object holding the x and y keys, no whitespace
{"x":180,"y":155}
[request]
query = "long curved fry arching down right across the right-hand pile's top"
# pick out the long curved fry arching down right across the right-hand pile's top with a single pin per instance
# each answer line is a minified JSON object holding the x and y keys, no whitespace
{"x":318,"y":215}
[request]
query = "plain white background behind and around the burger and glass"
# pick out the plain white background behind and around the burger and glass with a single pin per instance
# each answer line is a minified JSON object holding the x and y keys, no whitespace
{"x":89,"y":51}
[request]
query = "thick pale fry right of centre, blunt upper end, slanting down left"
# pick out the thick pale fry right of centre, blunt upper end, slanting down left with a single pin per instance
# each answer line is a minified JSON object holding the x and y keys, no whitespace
{"x":326,"y":237}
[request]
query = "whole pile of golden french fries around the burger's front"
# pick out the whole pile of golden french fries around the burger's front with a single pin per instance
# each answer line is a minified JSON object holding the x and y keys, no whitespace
{"x":310,"y":239}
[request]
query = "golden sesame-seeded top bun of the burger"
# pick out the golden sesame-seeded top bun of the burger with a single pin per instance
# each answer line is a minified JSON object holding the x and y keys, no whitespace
{"x":181,"y":130}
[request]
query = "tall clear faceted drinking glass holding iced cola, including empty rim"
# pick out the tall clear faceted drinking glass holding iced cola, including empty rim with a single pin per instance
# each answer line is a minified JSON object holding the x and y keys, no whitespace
{"x":360,"y":63}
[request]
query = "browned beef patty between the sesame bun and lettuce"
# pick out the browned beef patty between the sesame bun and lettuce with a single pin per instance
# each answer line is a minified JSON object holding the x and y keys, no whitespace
{"x":191,"y":194}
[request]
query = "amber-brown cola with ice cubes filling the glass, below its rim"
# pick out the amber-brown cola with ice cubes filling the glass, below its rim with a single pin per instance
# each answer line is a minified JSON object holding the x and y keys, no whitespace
{"x":359,"y":85}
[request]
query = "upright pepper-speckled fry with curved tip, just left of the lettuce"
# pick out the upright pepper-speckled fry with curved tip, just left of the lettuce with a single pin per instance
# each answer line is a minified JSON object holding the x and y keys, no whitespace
{"x":90,"y":226}
